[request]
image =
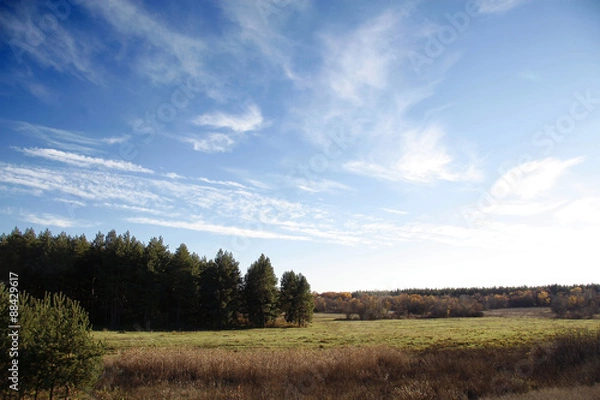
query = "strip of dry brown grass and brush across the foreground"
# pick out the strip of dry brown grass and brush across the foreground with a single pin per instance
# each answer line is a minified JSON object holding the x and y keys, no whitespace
{"x":351,"y":373}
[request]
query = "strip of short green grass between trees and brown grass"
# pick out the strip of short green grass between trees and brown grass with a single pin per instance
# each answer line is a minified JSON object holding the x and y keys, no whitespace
{"x":328,"y":331}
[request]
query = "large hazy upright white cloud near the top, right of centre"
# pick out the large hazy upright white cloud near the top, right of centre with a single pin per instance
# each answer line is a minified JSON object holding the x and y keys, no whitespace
{"x":362,"y":89}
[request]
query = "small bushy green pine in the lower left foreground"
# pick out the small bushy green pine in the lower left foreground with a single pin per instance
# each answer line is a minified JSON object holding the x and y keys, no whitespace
{"x":57,"y":350}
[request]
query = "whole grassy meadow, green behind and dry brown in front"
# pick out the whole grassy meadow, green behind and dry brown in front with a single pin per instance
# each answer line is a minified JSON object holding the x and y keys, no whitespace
{"x":462,"y":358}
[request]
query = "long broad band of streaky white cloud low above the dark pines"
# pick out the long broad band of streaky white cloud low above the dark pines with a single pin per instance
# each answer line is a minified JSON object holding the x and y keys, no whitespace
{"x":226,"y":203}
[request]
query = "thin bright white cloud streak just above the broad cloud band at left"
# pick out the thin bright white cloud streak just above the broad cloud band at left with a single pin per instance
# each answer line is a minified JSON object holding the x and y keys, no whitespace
{"x":84,"y":161}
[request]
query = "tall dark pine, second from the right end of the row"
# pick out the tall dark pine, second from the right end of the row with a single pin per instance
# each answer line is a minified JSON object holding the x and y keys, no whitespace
{"x":260,"y":292}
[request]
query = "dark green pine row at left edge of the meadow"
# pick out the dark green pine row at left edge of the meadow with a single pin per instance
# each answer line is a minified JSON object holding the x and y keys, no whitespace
{"x":125,"y":284}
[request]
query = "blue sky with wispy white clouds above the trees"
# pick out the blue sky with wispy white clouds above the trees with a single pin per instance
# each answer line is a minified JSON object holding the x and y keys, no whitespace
{"x":365,"y":144}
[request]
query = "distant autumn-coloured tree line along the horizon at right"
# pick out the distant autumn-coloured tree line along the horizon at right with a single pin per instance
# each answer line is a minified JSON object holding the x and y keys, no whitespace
{"x":574,"y":301}
